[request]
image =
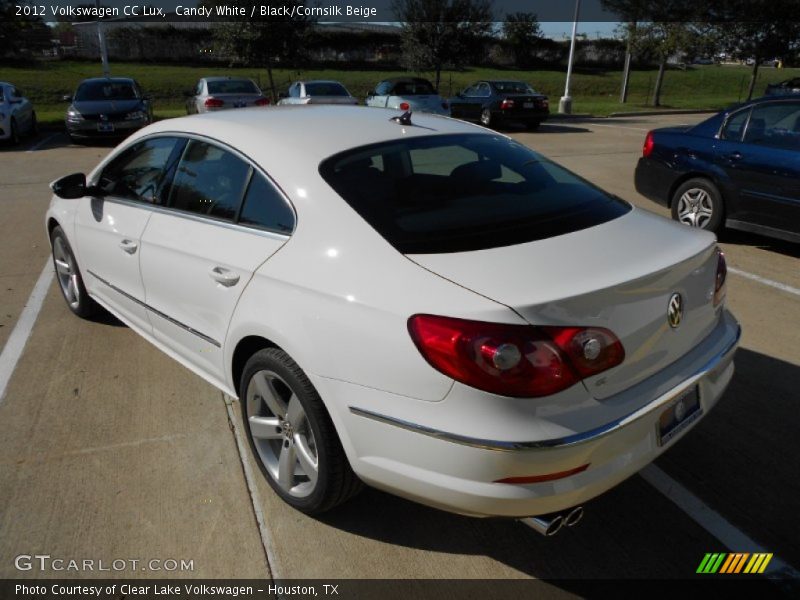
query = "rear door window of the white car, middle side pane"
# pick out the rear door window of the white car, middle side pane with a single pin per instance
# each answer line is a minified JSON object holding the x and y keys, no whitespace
{"x":209,"y":181}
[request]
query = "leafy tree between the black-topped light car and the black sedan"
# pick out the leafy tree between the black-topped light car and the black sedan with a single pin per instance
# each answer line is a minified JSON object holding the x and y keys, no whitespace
{"x":437,"y":33}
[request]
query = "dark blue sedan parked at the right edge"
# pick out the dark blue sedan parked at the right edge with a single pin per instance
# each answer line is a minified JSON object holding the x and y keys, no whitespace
{"x":738,"y":169}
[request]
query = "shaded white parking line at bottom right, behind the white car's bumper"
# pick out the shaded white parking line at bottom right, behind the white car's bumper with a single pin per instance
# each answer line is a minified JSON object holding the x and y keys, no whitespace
{"x":714,"y":523}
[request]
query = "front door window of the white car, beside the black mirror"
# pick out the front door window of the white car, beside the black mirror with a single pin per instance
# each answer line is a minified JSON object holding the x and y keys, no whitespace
{"x":138,"y":172}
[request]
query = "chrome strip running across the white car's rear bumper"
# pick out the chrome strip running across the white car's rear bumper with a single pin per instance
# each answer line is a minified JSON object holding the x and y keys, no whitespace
{"x":713,"y":366}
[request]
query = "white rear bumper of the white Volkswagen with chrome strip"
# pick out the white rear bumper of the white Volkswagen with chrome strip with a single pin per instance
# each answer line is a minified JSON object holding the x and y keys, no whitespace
{"x":438,"y":459}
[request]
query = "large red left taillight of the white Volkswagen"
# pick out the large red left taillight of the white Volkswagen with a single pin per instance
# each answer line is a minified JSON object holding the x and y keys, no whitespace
{"x":514,"y":360}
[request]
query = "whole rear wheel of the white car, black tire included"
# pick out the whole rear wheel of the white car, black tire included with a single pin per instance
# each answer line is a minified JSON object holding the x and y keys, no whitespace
{"x":288,"y":425}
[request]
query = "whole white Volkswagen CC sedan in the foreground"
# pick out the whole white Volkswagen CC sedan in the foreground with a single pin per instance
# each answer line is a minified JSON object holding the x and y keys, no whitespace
{"x":415,"y":303}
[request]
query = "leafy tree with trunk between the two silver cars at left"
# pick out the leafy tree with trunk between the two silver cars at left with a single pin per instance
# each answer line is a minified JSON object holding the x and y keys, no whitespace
{"x":263,"y":40}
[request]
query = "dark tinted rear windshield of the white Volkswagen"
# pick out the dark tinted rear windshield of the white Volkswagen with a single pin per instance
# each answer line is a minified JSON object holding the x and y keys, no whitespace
{"x":456,"y":193}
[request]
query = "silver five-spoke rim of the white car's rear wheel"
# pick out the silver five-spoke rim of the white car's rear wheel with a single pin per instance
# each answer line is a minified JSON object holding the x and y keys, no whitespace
{"x":282,"y":434}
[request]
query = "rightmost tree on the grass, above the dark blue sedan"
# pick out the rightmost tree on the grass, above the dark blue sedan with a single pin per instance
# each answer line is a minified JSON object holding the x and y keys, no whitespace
{"x":776,"y":33}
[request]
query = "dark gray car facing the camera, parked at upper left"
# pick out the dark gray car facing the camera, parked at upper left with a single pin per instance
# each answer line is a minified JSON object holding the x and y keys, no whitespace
{"x":106,"y":107}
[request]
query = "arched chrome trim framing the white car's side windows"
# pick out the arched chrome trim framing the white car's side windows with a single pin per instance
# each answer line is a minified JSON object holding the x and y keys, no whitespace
{"x":173,"y":211}
